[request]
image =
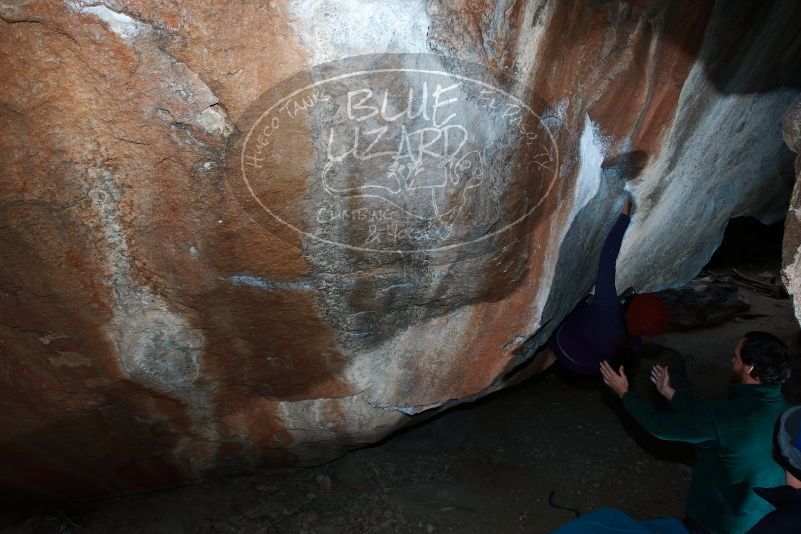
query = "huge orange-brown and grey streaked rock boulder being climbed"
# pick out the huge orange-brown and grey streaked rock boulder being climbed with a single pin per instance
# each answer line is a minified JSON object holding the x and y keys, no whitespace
{"x":210,"y":259}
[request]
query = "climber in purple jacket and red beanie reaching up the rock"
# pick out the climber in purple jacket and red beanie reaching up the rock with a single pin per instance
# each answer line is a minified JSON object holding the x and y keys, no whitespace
{"x":598,"y":331}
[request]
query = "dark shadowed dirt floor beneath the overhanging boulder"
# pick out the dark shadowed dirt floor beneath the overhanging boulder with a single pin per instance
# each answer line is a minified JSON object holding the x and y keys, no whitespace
{"x":485,"y":468}
